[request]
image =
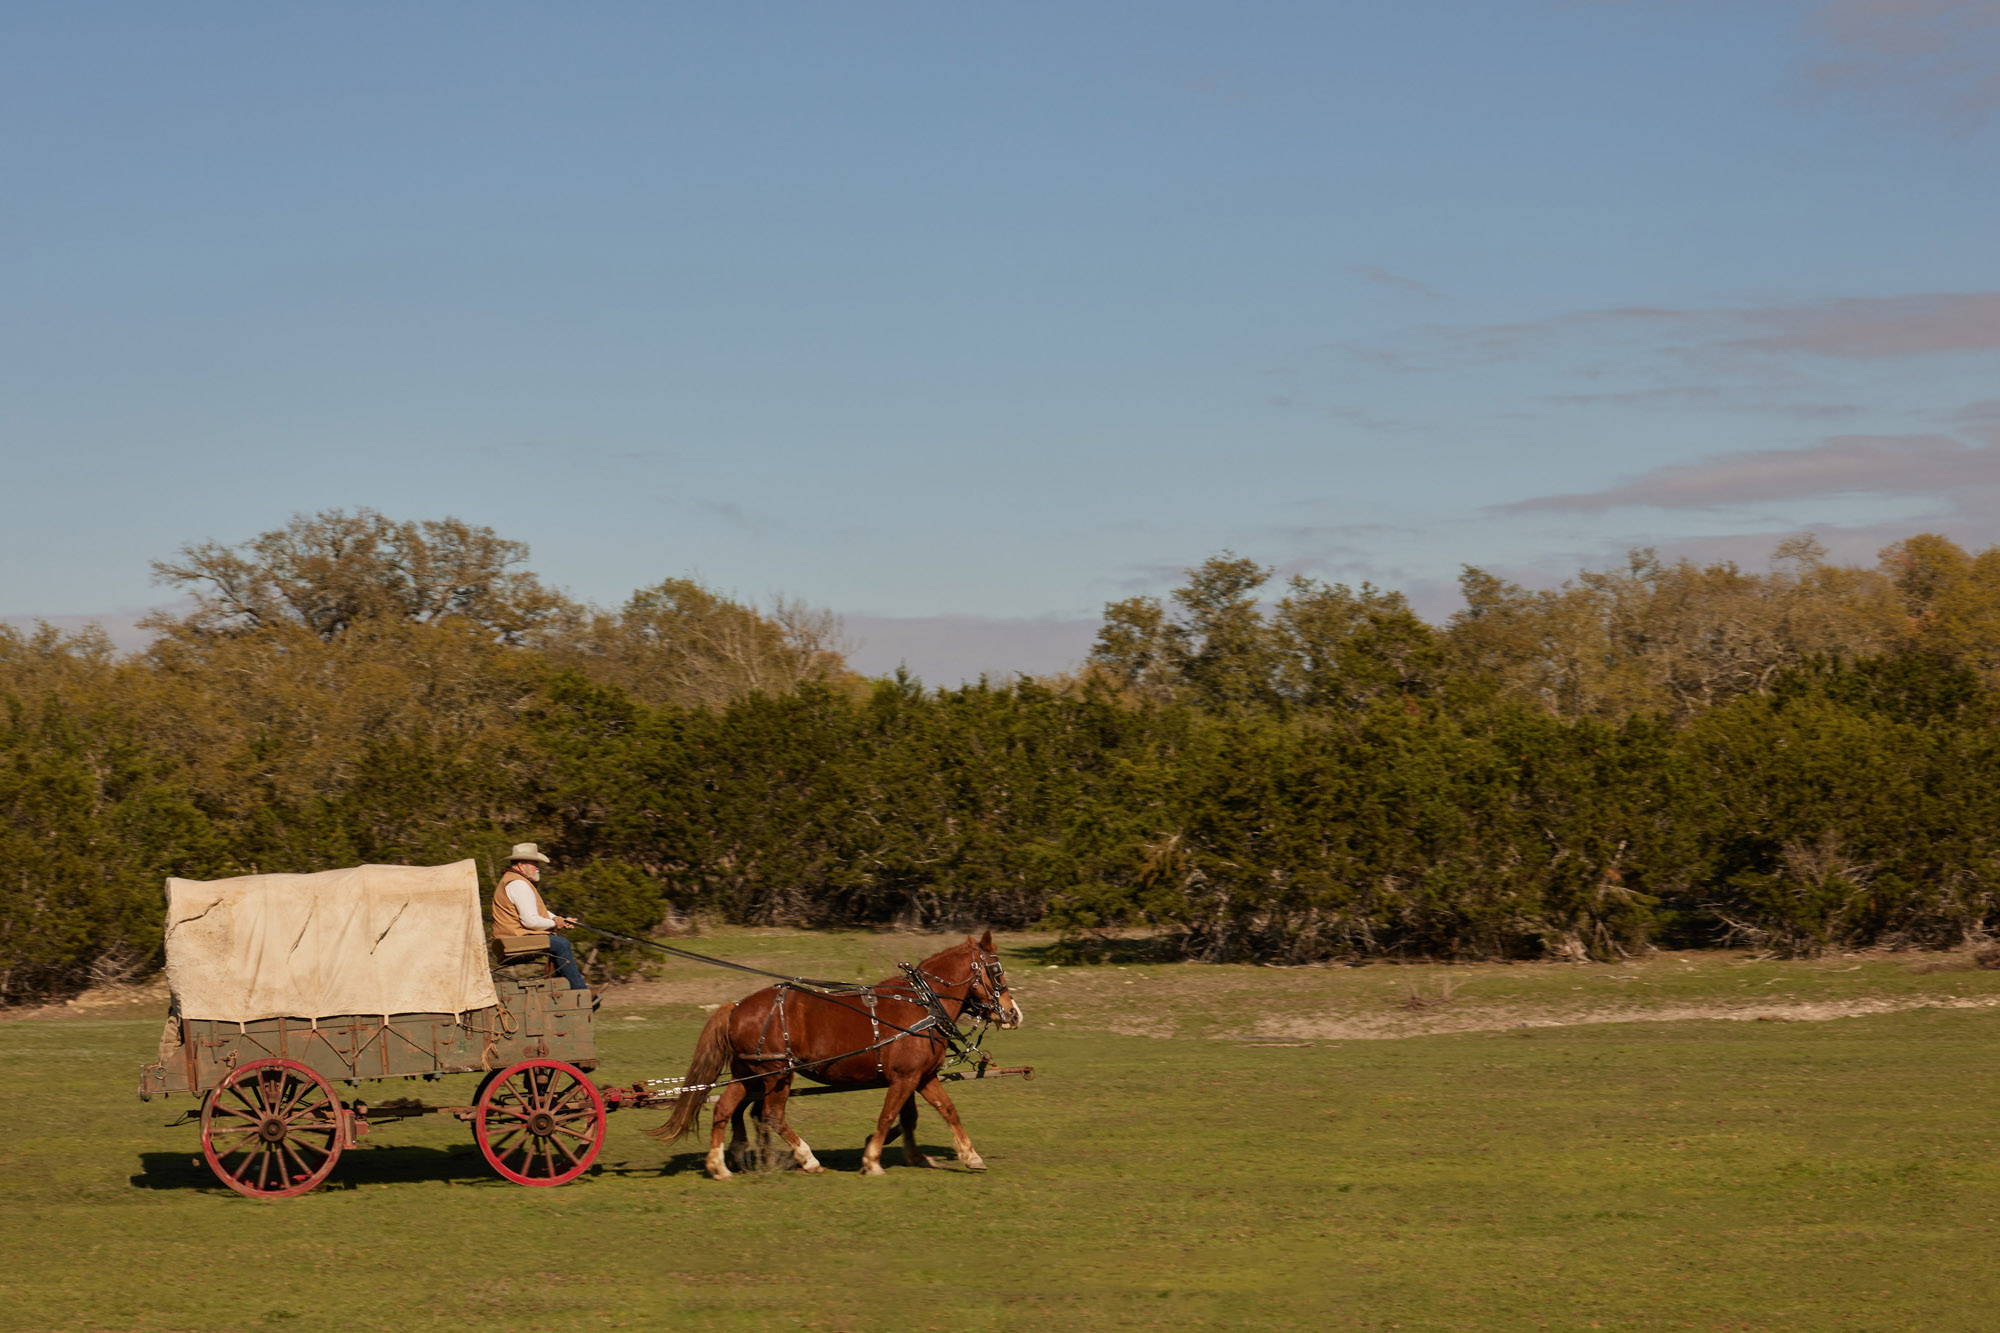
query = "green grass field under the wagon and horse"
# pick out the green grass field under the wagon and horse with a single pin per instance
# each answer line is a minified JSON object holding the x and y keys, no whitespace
{"x":1387,"y":1148}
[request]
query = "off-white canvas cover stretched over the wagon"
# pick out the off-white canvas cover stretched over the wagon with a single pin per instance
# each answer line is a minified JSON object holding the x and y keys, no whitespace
{"x":371,"y":940}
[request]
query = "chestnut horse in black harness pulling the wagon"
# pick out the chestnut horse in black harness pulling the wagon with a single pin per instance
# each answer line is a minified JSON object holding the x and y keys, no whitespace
{"x":879,"y":1036}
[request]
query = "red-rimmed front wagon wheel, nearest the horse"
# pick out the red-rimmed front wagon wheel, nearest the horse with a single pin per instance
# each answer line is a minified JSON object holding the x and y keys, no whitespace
{"x":541,"y":1122}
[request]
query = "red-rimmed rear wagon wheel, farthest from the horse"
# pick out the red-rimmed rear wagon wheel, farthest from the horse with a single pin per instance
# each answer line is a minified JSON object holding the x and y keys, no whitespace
{"x":271,"y":1130}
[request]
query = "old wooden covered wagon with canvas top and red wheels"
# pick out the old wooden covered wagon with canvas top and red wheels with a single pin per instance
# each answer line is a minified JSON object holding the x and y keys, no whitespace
{"x":289,"y":992}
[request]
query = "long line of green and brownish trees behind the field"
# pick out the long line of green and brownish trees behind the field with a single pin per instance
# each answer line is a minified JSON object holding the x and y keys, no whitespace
{"x":1659,"y":756}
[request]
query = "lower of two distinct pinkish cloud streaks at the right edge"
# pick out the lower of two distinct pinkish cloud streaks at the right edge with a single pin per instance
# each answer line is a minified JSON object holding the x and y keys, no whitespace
{"x":1881,"y":465}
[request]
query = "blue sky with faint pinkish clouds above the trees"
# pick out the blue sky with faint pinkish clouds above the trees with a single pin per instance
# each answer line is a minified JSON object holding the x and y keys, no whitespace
{"x":963,"y":321}
